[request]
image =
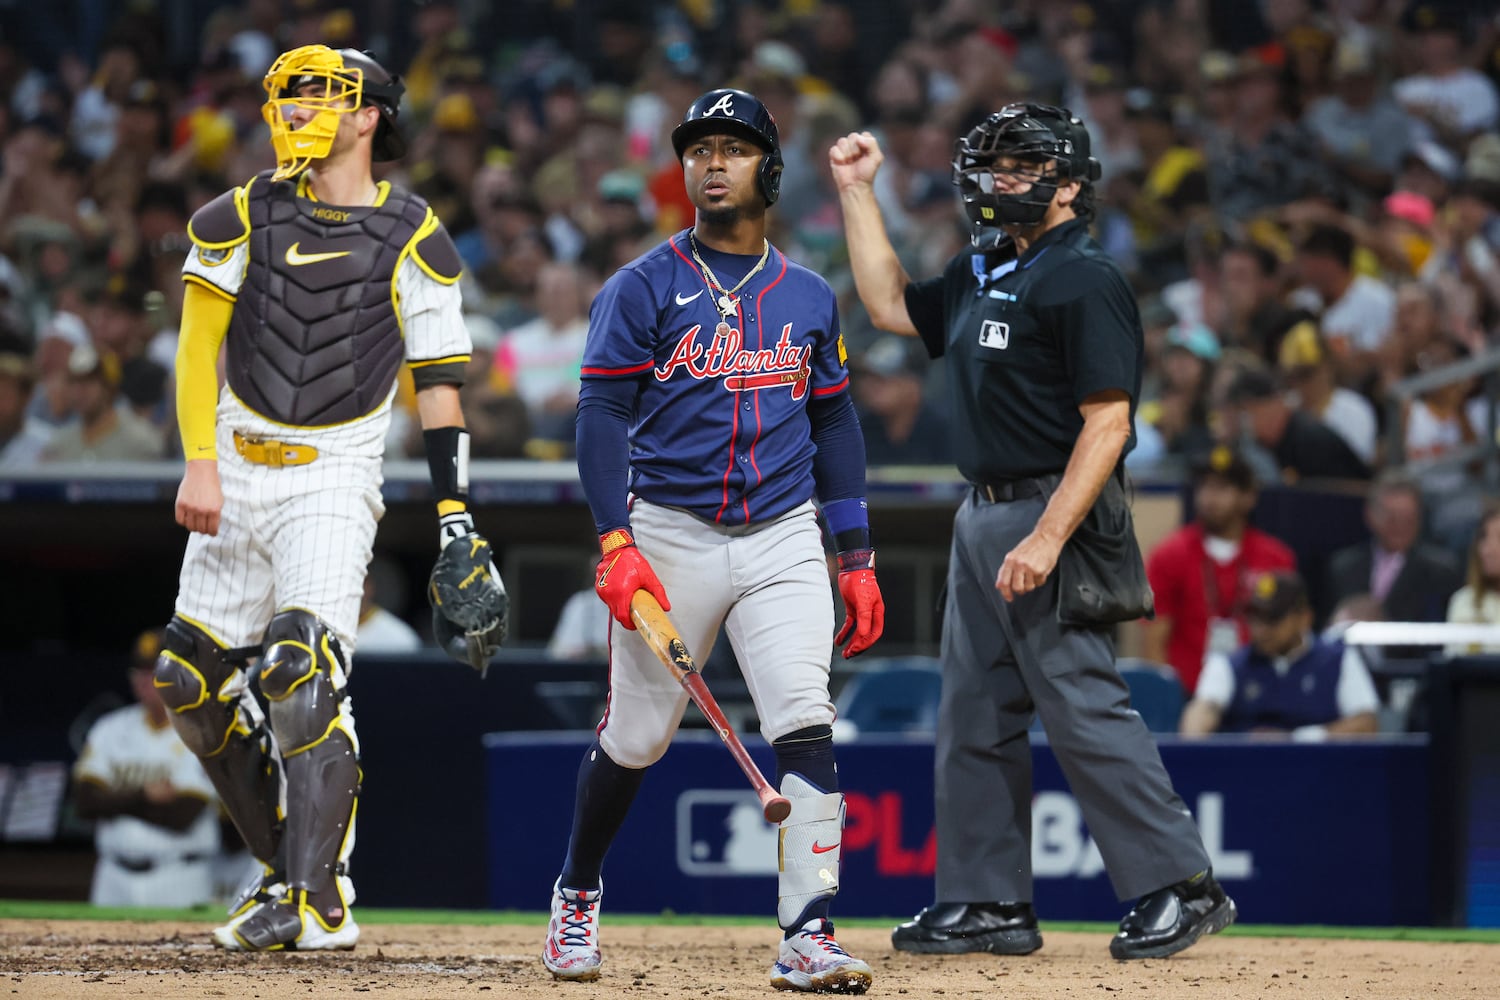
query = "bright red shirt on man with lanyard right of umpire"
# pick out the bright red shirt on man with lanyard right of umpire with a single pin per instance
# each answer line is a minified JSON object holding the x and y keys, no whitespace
{"x":1193,"y":590}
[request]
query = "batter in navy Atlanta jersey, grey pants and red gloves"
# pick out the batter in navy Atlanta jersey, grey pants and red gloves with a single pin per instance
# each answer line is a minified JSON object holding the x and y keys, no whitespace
{"x":713,"y":409}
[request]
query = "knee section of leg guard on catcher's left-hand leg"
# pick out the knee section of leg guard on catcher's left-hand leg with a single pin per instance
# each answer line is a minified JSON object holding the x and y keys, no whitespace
{"x":200,"y":687}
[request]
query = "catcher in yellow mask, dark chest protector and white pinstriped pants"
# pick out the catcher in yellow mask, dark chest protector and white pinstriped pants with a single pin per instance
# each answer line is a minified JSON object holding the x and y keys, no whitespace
{"x":319,"y":284}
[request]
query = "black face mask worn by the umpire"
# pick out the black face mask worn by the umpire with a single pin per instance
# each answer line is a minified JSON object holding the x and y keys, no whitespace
{"x":1052,"y":142}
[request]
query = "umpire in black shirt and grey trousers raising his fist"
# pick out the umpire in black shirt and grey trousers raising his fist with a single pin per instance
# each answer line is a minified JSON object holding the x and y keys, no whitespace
{"x":1045,"y":347}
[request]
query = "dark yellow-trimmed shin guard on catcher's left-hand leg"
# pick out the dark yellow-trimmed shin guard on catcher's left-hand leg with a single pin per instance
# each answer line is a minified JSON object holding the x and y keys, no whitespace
{"x":218,"y":719}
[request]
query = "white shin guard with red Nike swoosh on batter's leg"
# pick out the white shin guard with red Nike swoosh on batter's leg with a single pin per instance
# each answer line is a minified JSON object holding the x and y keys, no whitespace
{"x":808,"y":849}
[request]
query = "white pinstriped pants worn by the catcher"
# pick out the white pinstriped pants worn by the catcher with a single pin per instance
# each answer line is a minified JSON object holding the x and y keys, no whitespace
{"x":289,"y":537}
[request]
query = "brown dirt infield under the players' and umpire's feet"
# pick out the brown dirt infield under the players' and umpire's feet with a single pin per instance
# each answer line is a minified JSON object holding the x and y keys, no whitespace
{"x":109,"y":960}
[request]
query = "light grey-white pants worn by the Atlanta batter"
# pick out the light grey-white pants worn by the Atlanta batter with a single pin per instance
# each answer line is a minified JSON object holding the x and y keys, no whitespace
{"x":767,"y":584}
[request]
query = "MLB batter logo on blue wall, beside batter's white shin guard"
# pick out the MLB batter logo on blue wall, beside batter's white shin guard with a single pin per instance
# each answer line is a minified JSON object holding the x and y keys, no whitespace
{"x":722,"y":833}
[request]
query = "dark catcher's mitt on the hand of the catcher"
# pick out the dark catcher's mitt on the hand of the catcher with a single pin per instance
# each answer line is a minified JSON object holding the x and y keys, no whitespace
{"x":469,"y":602}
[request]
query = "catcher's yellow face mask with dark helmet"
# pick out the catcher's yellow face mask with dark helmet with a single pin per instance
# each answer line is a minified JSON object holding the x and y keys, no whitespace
{"x":341,"y":80}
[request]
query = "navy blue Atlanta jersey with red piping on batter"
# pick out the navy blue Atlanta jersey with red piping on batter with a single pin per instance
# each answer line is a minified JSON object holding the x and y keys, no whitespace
{"x":721,"y":425}
